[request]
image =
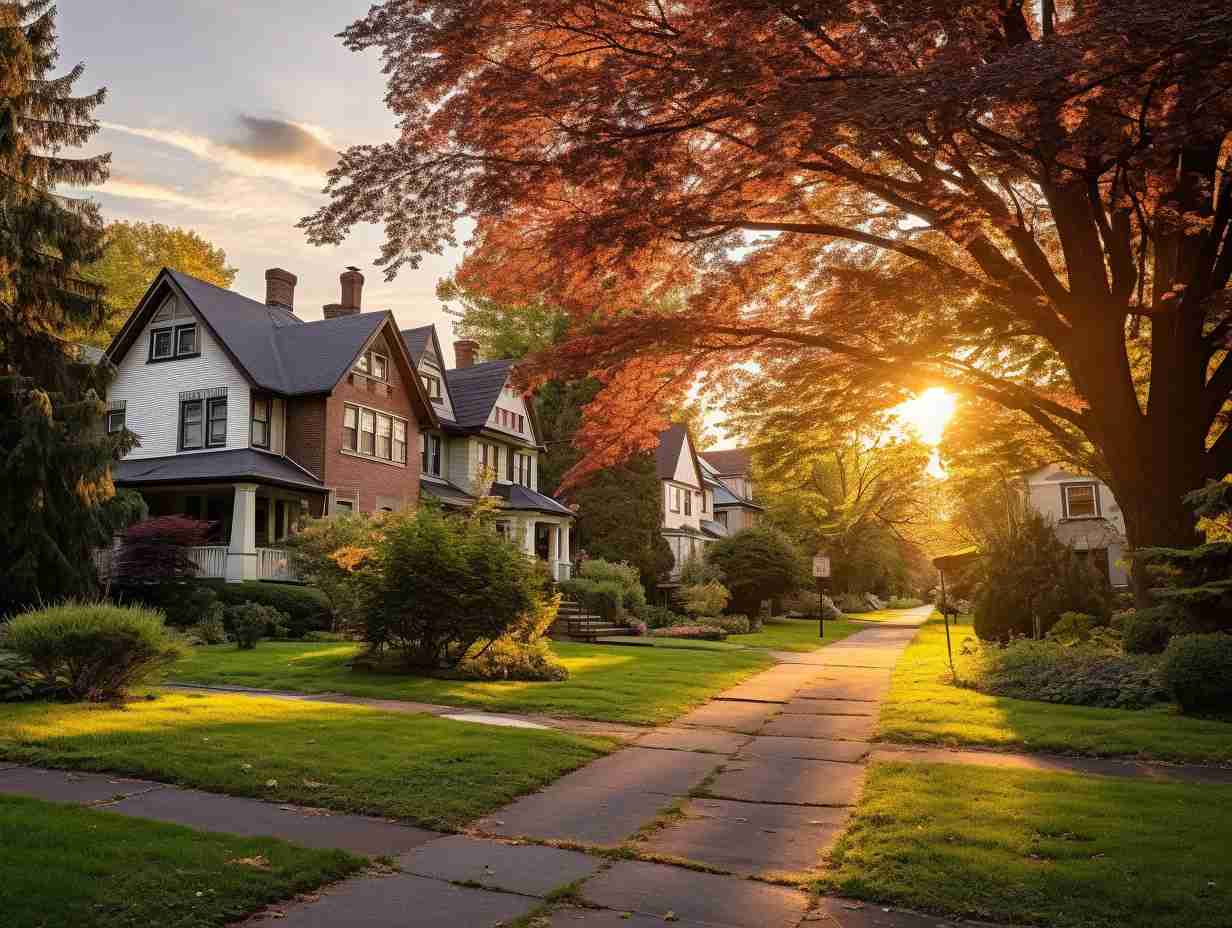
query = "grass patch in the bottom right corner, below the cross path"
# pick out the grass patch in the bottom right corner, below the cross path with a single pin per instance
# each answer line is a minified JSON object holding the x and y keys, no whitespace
{"x":1037,"y":849}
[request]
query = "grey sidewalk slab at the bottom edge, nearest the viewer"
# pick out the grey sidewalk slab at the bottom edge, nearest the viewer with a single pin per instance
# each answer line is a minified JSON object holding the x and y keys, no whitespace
{"x":400,"y":902}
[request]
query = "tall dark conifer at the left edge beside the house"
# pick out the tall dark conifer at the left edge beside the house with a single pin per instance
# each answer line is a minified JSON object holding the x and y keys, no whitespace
{"x":56,"y":491}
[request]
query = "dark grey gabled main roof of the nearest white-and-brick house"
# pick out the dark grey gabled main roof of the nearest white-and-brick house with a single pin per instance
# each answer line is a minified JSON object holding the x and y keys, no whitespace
{"x":274,"y":348}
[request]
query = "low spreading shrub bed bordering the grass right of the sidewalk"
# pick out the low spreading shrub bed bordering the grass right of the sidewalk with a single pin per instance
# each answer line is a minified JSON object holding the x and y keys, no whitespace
{"x":1080,"y":676}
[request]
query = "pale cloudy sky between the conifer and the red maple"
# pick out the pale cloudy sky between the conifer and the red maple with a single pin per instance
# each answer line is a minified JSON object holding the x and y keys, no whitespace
{"x":225,"y":116}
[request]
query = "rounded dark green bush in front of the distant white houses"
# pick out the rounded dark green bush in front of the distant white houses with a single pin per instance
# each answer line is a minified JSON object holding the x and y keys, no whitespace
{"x":758,"y":564}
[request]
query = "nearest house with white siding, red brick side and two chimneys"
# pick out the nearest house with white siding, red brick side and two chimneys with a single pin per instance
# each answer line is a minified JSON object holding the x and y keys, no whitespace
{"x":253,"y":418}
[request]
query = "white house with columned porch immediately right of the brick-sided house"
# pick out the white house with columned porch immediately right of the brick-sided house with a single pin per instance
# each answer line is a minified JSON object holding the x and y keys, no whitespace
{"x":487,"y":444}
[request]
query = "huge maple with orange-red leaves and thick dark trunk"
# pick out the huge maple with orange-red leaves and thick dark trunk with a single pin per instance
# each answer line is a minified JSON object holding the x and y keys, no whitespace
{"x":1026,"y":203}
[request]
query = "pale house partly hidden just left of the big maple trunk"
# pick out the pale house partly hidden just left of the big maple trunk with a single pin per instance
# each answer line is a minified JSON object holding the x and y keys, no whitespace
{"x":1086,"y":517}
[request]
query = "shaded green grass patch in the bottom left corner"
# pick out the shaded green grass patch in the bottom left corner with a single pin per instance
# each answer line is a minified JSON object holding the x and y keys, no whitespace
{"x":68,"y":866}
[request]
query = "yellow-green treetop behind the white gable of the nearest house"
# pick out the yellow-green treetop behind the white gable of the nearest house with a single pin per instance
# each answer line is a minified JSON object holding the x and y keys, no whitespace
{"x":134,"y":254}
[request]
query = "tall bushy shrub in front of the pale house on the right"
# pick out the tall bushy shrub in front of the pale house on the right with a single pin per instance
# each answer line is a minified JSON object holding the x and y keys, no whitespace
{"x":1028,"y":576}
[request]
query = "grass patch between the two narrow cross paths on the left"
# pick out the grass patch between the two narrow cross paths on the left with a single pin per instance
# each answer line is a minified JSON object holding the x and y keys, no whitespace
{"x":433,"y":772}
